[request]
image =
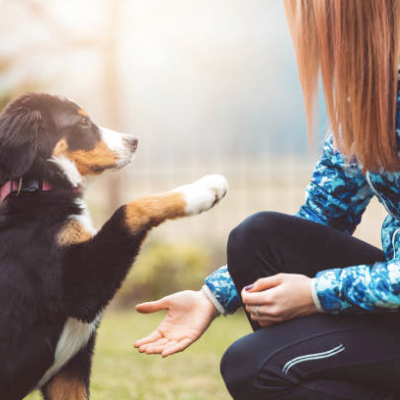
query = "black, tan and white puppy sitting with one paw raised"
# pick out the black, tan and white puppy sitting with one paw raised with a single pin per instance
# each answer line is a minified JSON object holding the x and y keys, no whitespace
{"x":57,"y":274}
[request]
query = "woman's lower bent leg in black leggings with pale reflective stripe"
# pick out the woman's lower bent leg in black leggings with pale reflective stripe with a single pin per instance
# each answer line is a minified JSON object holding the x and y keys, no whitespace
{"x":317,"y":357}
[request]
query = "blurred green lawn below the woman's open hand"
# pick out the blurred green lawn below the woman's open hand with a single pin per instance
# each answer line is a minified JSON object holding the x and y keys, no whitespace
{"x":121,"y":373}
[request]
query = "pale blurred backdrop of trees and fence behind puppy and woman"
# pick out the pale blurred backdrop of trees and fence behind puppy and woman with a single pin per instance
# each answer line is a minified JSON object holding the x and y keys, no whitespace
{"x":207,"y":86}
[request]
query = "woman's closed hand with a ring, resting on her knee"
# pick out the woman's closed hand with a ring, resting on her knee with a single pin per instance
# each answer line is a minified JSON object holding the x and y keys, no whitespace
{"x":279,"y":298}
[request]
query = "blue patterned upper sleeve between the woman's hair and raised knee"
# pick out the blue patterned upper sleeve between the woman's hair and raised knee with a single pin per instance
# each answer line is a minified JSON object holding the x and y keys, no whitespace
{"x":338,"y":192}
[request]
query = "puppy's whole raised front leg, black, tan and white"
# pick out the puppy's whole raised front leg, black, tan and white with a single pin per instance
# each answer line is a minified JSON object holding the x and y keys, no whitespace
{"x":97,"y":267}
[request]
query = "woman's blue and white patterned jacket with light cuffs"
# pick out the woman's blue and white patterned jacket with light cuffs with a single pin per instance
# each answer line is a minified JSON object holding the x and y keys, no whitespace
{"x":337,"y":196}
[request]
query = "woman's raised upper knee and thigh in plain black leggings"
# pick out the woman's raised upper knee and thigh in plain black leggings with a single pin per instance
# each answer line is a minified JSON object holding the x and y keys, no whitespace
{"x":268,"y":243}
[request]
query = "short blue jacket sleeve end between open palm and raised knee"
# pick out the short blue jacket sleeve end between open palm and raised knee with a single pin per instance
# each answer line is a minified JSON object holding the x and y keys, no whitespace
{"x":223,"y":289}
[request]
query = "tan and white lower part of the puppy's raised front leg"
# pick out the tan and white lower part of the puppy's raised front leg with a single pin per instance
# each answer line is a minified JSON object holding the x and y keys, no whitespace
{"x":150,"y":211}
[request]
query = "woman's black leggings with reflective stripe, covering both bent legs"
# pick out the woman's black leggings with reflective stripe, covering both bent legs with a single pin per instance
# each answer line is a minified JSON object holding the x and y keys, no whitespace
{"x":319,"y":356}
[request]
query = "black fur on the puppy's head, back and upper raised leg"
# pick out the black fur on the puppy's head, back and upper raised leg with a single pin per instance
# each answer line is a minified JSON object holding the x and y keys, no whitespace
{"x":42,"y":284}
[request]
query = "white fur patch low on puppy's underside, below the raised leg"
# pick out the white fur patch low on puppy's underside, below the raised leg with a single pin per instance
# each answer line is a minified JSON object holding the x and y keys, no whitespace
{"x":73,"y":338}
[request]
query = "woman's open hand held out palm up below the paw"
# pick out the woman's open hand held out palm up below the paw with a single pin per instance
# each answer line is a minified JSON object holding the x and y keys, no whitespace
{"x":189,"y":315}
